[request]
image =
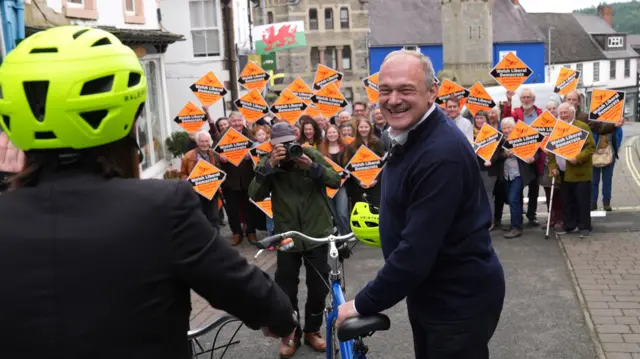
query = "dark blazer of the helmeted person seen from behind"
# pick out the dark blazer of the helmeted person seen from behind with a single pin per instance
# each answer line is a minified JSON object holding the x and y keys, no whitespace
{"x":98,"y":268}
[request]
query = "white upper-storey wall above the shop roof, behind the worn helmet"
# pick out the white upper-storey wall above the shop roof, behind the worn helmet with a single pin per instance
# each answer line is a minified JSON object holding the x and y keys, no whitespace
{"x":111,"y":13}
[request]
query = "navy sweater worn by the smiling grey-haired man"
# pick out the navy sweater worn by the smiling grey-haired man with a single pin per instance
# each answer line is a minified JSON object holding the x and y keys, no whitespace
{"x":434,"y":228}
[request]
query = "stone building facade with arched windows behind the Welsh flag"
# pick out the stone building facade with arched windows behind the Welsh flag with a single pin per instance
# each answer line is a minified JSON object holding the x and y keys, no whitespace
{"x":337,"y":36}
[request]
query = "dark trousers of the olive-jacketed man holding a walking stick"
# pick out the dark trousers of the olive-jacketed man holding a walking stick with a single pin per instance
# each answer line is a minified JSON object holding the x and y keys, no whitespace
{"x":576,"y":205}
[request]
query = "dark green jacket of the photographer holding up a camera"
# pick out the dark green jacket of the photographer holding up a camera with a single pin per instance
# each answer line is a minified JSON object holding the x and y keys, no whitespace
{"x":298,"y":197}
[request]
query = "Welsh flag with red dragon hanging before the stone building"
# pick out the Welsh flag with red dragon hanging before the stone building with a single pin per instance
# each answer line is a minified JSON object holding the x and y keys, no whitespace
{"x":279,"y":36}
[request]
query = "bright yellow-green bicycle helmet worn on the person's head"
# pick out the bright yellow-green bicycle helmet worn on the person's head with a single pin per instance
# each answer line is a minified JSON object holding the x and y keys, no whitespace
{"x":70,"y":87}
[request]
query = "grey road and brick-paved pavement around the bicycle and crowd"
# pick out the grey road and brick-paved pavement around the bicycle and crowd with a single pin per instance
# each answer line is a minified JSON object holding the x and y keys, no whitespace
{"x":566,"y":297}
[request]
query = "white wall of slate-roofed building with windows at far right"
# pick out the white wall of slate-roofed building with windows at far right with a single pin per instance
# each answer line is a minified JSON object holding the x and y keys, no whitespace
{"x":605,"y":81}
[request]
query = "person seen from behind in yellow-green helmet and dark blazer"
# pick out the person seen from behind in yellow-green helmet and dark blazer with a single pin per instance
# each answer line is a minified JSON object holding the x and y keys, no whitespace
{"x":94,"y":262}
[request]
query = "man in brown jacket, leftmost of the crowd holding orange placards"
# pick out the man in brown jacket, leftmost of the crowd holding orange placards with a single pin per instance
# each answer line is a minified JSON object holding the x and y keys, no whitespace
{"x":203,"y":151}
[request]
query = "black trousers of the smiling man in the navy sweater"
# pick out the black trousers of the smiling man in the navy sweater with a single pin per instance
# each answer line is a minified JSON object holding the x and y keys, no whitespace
{"x":456,"y":339}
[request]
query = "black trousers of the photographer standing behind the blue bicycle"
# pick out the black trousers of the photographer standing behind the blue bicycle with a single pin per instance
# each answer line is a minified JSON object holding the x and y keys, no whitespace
{"x":288,"y":278}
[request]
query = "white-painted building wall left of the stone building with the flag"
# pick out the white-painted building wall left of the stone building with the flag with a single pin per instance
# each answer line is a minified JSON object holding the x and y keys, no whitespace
{"x":182,"y":68}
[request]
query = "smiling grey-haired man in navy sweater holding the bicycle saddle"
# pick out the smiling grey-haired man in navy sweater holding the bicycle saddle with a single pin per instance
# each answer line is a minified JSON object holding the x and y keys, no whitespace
{"x":434,"y":221}
